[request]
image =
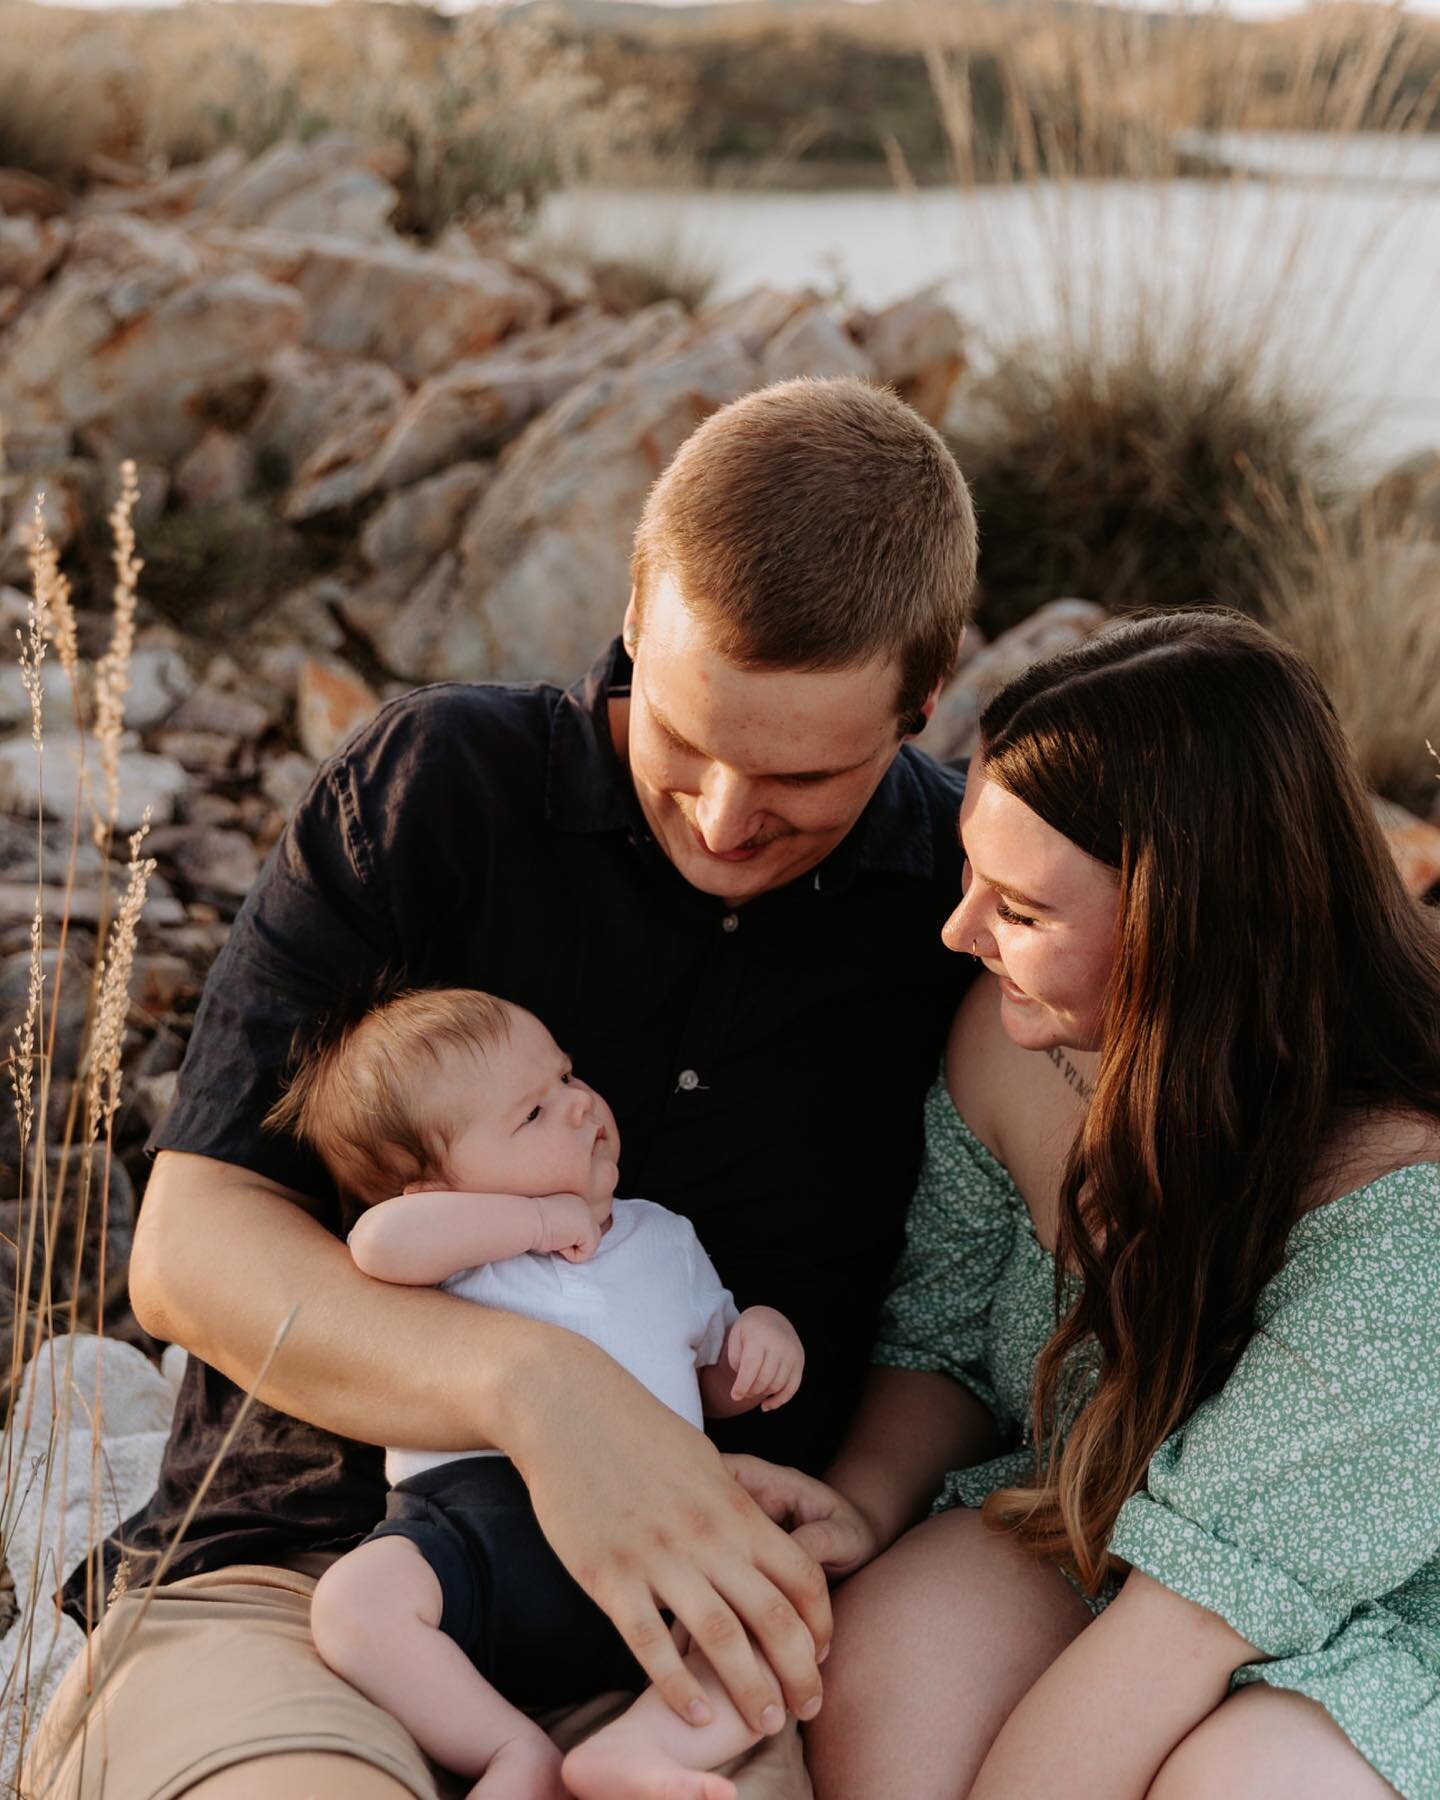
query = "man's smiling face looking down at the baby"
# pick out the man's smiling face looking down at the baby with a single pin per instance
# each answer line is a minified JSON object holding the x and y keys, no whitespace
{"x":750,"y":777}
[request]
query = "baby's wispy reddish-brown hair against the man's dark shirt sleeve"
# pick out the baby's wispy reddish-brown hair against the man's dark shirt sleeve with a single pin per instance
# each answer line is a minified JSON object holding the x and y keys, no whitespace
{"x":359,"y":1099}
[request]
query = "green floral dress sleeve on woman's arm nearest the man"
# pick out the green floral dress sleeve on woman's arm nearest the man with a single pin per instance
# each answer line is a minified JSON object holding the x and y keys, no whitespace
{"x":960,"y":1234}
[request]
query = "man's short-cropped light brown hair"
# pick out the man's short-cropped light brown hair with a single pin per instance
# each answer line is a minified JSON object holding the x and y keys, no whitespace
{"x":818,"y":526}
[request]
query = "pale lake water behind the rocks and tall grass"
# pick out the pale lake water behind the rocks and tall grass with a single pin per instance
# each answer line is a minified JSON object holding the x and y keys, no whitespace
{"x":1324,"y":264}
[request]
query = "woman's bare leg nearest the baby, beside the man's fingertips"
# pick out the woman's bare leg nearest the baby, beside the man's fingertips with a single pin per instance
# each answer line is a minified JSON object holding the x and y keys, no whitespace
{"x":935,"y":1646}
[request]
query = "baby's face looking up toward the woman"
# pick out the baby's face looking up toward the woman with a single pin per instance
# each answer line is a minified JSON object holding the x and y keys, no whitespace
{"x":532,"y":1124}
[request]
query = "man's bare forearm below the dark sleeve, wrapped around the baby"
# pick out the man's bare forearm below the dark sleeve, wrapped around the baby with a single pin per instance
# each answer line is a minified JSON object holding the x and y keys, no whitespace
{"x":222,"y":1257}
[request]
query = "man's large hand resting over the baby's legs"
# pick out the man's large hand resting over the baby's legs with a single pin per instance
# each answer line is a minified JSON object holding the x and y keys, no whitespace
{"x":645,"y":1516}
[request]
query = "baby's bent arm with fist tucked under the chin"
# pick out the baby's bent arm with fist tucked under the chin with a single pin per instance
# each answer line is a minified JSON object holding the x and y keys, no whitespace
{"x":426,"y":1236}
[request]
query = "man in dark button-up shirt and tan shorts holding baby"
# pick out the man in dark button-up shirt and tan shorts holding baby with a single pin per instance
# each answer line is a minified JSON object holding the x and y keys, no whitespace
{"x":719,"y":874}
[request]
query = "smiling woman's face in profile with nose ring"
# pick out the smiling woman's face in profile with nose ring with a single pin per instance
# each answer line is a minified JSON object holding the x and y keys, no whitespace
{"x":1041,"y":917}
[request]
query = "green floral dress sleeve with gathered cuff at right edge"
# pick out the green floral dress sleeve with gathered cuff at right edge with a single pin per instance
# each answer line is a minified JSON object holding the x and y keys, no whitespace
{"x":1308,"y":1484}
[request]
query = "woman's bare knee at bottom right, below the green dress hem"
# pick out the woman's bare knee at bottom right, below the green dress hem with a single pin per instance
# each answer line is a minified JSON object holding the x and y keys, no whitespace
{"x":1268,"y":1745}
